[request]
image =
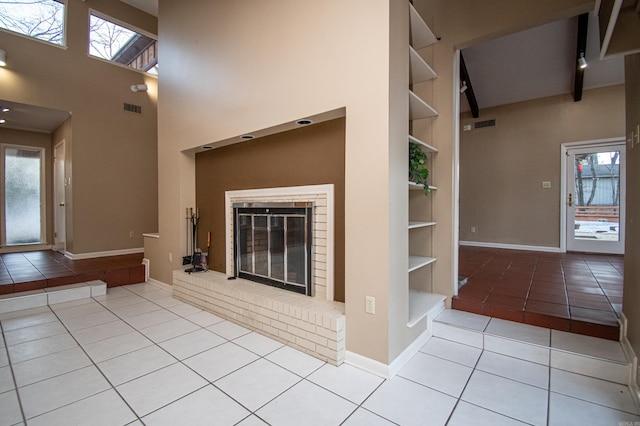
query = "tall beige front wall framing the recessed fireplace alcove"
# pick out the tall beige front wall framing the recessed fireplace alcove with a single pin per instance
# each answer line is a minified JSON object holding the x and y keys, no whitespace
{"x":256,"y":65}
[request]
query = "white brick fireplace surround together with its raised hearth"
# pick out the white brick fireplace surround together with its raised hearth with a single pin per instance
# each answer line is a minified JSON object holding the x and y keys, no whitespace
{"x":314,"y":324}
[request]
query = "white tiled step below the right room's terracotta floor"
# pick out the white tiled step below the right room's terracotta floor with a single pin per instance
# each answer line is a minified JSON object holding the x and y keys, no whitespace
{"x":600,"y":368}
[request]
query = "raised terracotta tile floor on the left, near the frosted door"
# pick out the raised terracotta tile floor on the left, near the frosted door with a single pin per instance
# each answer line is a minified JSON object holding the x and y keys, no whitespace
{"x":40,"y":269}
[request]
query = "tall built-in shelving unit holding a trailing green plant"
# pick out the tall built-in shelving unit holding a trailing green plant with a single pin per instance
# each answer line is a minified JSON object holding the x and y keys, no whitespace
{"x":421,"y":223}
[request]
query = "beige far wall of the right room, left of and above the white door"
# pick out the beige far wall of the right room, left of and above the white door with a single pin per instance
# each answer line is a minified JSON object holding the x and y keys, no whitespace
{"x":502,"y":167}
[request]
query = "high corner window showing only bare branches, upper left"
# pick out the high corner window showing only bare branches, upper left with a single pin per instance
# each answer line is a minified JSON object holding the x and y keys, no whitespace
{"x":40,"y":19}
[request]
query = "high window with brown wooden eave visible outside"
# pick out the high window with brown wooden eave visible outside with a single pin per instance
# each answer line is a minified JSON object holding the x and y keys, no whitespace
{"x":116,"y":43}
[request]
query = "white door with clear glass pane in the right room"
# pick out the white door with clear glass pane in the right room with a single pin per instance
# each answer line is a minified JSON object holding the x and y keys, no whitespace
{"x":595,"y":198}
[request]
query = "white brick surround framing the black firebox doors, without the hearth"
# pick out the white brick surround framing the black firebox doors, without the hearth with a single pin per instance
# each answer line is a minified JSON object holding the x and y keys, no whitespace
{"x":322,"y":249}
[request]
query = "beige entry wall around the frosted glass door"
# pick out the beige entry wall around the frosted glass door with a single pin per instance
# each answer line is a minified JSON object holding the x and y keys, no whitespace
{"x":40,"y":140}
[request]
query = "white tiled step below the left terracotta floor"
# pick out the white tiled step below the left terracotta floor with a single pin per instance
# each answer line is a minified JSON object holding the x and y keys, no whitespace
{"x":51,"y":296}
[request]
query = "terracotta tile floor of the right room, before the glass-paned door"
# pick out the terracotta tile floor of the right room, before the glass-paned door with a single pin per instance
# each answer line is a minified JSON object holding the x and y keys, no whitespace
{"x":576,"y":292}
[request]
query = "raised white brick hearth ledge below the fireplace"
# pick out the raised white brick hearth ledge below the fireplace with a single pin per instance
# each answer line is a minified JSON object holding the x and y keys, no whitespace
{"x":310,"y":324}
